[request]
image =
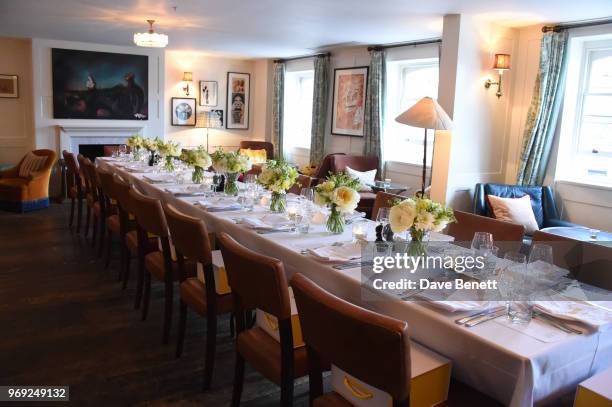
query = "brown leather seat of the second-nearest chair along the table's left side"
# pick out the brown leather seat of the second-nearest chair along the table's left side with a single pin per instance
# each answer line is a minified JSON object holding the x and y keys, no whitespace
{"x":264,"y":353}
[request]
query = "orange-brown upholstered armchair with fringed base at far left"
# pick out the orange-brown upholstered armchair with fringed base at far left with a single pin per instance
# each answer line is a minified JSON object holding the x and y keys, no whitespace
{"x":19,"y":194}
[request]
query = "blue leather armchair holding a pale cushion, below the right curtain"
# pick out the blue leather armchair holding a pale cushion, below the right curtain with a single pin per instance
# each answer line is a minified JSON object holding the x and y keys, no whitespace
{"x":542,"y":202}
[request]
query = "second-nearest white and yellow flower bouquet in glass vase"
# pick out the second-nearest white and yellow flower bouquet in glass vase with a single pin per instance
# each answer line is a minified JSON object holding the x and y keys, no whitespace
{"x":339,"y":193}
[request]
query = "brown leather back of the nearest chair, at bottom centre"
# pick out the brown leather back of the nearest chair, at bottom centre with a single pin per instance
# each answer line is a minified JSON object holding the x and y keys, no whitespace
{"x":373,"y":348}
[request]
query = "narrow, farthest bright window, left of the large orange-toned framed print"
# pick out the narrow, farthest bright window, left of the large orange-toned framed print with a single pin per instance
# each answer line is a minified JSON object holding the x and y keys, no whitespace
{"x":297,"y":110}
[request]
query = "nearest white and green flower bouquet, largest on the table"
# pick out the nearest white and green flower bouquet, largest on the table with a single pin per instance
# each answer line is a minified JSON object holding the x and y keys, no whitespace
{"x":419,"y":216}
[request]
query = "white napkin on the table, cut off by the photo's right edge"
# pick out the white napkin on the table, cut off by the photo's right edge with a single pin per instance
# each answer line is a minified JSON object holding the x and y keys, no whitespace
{"x":597,"y":318}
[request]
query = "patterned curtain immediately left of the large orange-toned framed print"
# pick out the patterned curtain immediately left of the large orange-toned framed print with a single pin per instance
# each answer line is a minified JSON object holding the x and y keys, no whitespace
{"x":320,"y":97}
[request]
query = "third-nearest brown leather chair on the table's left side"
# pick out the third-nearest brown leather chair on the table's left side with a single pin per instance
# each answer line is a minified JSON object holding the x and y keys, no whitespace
{"x":190,"y":239}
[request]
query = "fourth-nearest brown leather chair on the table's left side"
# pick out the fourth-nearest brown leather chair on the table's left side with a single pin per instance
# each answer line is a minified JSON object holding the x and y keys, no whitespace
{"x":153,"y":228}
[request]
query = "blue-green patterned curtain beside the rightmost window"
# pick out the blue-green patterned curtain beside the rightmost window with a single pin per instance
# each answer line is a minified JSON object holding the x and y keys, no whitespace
{"x":544,"y":110}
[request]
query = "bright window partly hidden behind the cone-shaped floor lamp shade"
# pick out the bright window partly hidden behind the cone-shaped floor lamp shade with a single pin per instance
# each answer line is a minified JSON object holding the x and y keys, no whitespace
{"x":407,"y":82}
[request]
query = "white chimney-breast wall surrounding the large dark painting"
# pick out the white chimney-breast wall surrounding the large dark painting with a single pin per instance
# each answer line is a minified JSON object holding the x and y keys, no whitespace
{"x":46,"y":134}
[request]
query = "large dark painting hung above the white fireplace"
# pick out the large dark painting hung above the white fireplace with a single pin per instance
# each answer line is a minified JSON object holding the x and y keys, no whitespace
{"x":99,"y":85}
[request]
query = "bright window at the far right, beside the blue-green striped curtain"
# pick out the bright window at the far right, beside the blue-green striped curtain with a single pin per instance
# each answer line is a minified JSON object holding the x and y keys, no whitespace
{"x":585,"y":151}
